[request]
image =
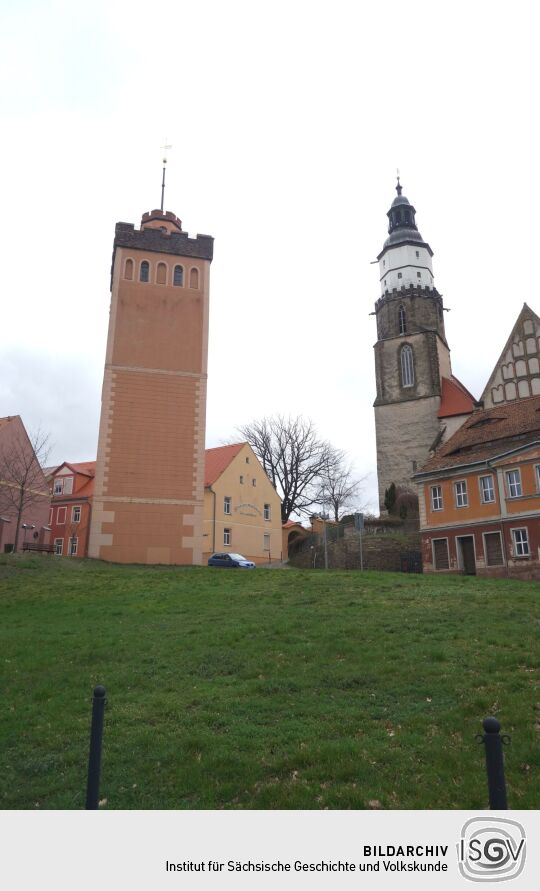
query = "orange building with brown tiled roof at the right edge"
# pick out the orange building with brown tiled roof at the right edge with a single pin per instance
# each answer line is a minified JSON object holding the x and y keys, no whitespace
{"x":479,"y":495}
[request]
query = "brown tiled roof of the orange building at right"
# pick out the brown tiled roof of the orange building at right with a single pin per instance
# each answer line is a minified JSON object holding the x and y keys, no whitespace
{"x":489,"y":433}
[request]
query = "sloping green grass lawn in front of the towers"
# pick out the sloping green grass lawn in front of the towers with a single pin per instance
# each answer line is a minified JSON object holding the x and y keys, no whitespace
{"x":264,"y":689}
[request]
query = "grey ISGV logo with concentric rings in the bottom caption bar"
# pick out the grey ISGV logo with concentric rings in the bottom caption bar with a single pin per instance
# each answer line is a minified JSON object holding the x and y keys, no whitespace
{"x":491,"y":849}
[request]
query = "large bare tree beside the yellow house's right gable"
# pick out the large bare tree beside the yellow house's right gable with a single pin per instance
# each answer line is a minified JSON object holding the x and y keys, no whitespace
{"x":294,"y":459}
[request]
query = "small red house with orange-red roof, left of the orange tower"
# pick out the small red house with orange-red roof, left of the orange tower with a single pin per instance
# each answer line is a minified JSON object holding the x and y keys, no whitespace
{"x":72,"y":489}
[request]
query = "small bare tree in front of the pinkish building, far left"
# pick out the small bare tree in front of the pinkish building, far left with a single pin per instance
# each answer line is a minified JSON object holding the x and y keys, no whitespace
{"x":22,"y":482}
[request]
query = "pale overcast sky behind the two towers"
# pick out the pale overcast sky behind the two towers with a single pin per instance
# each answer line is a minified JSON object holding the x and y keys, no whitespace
{"x":288,"y":121}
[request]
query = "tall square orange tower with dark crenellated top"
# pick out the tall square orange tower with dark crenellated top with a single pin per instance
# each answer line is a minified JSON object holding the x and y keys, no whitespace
{"x":149,"y":483}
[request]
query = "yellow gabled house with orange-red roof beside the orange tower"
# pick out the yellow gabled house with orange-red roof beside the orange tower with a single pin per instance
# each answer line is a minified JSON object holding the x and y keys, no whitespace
{"x":242,"y":510}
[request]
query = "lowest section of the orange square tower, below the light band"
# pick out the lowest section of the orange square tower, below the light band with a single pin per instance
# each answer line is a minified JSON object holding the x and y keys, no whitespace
{"x":142,"y":531}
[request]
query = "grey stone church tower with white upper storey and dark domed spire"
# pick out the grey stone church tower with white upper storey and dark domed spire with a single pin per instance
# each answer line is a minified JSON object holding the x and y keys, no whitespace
{"x":412,"y":358}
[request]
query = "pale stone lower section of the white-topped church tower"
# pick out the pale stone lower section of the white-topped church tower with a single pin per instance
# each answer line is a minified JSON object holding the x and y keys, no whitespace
{"x":405,"y":432}
